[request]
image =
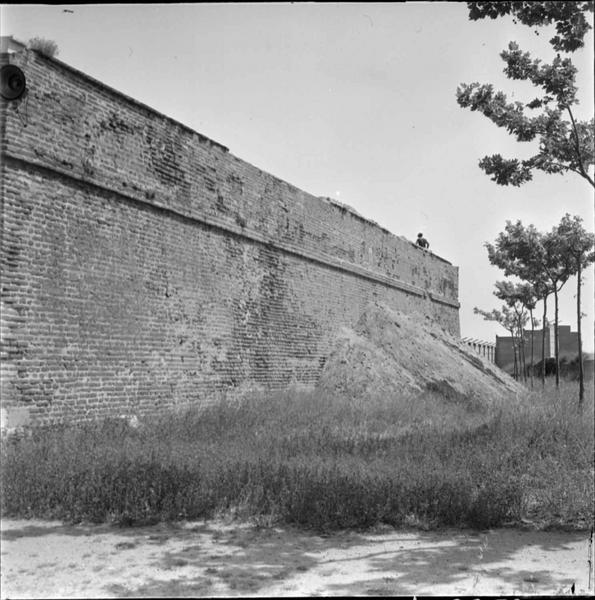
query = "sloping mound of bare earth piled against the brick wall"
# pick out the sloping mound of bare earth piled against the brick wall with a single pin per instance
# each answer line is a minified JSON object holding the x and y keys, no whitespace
{"x":391,"y":353}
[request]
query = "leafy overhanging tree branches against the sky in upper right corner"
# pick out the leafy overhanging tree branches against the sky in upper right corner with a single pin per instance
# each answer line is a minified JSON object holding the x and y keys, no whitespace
{"x":564,"y":142}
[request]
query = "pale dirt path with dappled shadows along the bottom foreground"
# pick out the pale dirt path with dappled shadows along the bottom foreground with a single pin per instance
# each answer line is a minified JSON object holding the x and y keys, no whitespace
{"x":48,"y":559}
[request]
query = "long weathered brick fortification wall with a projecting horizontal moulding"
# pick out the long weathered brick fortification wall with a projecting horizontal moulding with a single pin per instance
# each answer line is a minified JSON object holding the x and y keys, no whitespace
{"x":145,"y":267}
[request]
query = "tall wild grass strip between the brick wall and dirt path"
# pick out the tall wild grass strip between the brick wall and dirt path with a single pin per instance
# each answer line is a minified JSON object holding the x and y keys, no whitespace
{"x":318,"y":462}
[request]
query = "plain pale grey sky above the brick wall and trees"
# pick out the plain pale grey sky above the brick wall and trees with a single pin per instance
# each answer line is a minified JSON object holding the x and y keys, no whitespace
{"x":353,"y":101}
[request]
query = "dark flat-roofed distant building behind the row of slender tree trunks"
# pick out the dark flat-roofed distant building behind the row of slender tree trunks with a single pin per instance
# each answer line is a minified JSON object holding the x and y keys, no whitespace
{"x":568,"y":345}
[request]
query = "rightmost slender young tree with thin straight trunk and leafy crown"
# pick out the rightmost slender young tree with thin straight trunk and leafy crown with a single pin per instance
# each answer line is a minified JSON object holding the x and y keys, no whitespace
{"x":577,"y":246}
